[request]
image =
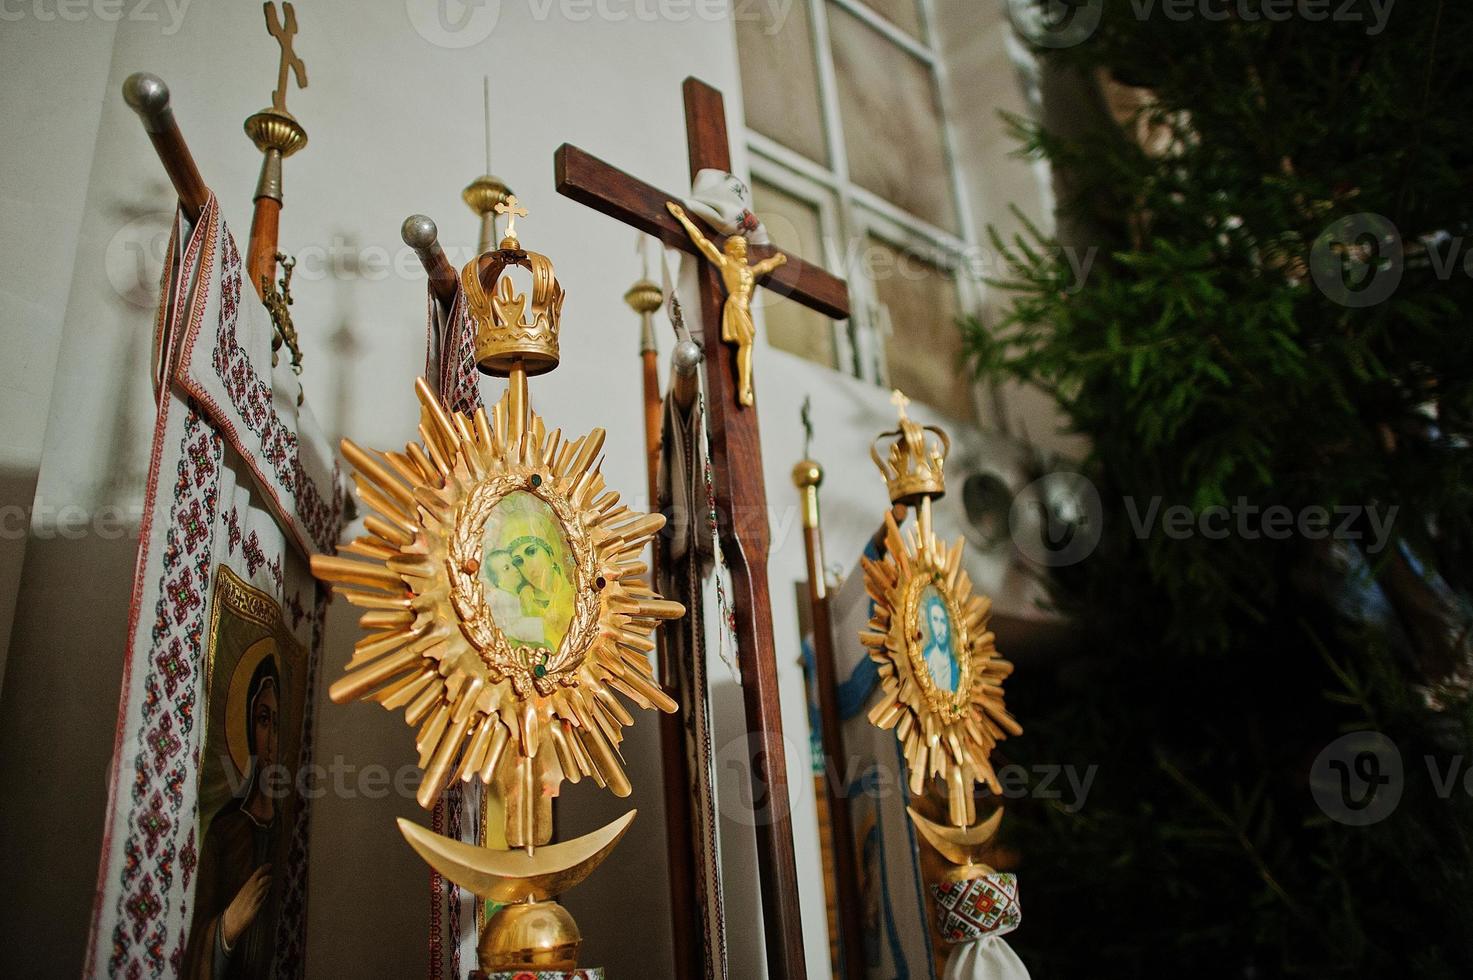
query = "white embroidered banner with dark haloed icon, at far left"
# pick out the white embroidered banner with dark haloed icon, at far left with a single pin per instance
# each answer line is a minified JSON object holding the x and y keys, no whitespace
{"x":207,"y":808}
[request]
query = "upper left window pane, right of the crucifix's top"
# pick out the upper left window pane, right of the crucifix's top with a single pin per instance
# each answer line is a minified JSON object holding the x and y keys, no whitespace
{"x":780,"y":79}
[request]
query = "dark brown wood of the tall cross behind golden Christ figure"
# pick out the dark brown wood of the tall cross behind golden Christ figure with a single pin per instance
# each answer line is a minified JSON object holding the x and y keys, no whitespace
{"x":739,"y":483}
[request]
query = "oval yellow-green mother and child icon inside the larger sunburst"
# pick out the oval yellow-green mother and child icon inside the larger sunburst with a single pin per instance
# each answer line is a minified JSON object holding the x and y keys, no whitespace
{"x":528,"y":573}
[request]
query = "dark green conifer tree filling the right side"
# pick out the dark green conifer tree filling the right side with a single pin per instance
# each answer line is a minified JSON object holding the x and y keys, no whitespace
{"x":1279,"y":315}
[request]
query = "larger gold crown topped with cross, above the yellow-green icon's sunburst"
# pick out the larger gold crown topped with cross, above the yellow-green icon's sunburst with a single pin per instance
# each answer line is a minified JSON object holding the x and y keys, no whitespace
{"x":513,"y":329}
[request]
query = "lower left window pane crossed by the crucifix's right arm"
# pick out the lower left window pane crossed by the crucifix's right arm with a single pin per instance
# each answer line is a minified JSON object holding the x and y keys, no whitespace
{"x":795,"y":226}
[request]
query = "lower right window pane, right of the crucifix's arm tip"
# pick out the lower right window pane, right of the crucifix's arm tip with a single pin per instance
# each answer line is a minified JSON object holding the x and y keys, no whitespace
{"x":923,"y":349}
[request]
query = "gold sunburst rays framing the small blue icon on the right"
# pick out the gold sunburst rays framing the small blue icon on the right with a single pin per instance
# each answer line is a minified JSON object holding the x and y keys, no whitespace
{"x":948,"y":735}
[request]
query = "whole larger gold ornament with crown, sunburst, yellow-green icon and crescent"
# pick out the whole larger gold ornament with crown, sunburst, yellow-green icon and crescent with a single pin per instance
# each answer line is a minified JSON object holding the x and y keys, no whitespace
{"x":506,"y":602}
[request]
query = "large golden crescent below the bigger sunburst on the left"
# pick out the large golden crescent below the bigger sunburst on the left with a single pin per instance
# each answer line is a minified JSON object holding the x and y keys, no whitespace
{"x":513,"y":876}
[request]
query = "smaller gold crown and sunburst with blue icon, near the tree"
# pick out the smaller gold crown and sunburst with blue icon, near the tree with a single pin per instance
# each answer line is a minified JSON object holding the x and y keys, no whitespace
{"x":941,"y":673}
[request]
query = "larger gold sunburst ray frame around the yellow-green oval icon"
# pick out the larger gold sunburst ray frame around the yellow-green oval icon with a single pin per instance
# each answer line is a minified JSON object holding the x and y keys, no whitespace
{"x":434,"y":648}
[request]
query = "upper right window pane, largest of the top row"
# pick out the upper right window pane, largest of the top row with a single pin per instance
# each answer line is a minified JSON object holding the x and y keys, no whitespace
{"x":892,"y":122}
